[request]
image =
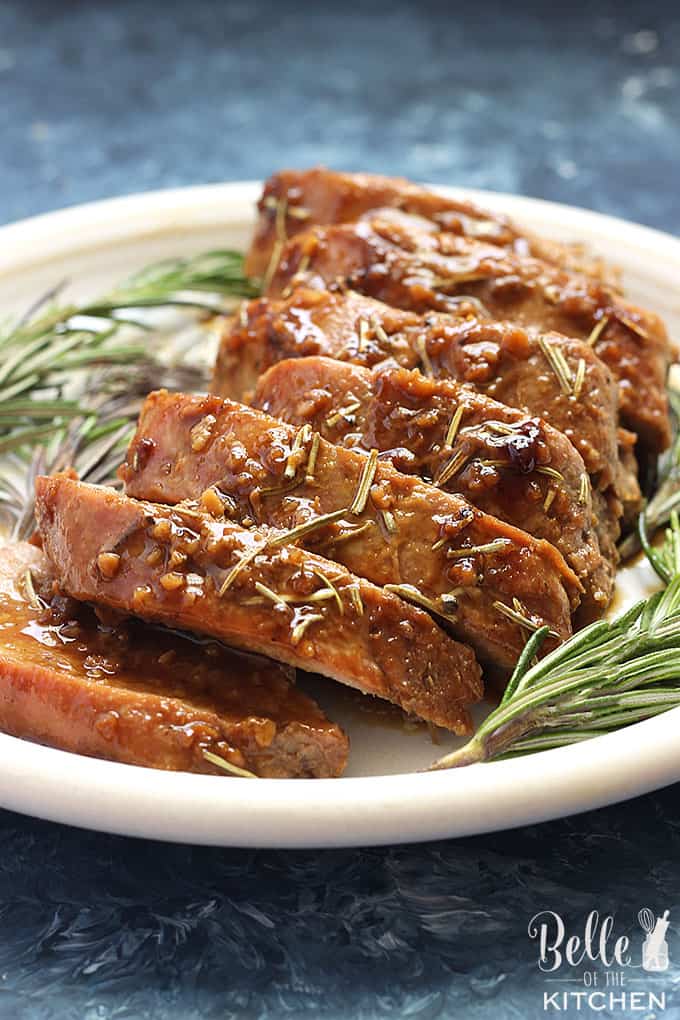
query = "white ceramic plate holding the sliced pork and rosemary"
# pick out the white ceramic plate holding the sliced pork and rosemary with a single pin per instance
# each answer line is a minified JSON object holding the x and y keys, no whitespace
{"x":384,"y":798}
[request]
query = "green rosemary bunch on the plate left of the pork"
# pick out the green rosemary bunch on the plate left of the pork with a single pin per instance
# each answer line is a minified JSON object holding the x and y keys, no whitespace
{"x":73,"y":377}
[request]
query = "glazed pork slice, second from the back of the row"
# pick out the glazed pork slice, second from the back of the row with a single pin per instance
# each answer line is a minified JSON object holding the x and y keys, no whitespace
{"x":414,"y":269}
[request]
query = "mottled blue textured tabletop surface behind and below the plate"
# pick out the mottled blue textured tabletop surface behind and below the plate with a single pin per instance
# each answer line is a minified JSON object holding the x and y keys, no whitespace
{"x":99,"y":99}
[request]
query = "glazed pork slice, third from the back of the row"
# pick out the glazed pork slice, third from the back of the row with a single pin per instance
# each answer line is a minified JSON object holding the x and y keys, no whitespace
{"x":498,"y":360}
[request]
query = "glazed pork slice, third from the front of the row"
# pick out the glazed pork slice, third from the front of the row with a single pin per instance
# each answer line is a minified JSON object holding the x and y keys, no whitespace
{"x":393,"y":529}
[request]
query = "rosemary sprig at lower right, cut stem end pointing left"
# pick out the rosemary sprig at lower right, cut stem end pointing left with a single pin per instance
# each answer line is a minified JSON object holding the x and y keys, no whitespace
{"x":610,"y":675}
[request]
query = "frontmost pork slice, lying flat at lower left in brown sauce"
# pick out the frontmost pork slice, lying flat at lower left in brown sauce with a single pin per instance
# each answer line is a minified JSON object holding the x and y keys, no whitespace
{"x":127,"y":692}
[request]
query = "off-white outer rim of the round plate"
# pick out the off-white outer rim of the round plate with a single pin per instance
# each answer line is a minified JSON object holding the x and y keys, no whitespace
{"x":353,"y":811}
